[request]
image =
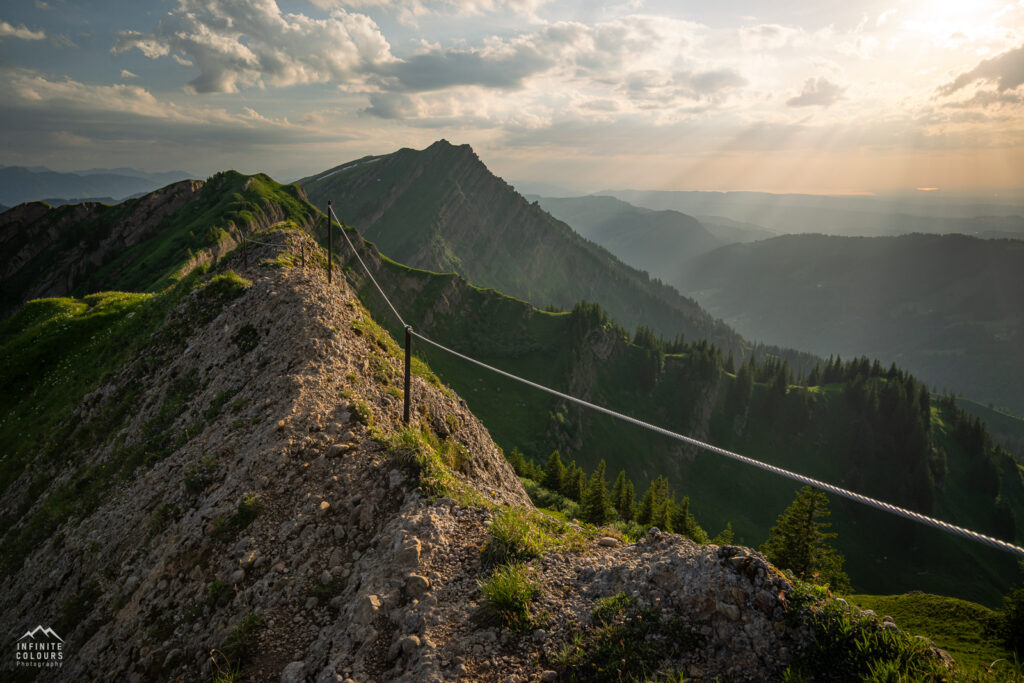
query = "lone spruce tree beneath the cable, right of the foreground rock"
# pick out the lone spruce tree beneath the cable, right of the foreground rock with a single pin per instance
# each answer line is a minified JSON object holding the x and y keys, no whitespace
{"x":799,"y":542}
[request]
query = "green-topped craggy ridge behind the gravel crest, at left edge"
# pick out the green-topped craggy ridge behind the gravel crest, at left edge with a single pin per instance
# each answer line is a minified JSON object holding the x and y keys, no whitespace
{"x":140,"y":245}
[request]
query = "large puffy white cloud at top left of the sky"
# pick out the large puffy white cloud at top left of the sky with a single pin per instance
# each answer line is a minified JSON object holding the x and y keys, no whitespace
{"x":251,"y":42}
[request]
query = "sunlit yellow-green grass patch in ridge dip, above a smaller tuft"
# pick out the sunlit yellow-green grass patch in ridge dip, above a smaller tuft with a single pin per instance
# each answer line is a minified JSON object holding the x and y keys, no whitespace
{"x":518,"y":535}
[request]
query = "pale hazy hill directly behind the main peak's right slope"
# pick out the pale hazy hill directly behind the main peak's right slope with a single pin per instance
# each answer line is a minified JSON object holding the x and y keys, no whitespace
{"x":659,"y":242}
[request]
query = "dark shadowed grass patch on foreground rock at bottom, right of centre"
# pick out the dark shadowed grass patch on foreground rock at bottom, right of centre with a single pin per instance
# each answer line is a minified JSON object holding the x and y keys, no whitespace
{"x":626,"y":644}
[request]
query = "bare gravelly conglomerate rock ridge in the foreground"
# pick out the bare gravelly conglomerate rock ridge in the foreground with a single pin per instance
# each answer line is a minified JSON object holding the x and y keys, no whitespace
{"x":283,"y":536}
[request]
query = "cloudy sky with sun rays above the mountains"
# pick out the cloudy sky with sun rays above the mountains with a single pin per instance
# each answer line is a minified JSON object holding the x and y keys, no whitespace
{"x":834,"y":98}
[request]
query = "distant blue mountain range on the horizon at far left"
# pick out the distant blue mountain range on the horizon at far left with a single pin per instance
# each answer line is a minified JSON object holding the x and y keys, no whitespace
{"x":20,"y":185}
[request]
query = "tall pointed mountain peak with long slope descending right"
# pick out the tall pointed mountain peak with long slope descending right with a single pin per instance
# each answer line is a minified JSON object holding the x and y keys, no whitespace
{"x":442,"y":209}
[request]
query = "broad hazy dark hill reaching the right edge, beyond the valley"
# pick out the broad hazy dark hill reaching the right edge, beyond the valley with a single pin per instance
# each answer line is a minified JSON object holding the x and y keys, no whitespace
{"x":950,"y":309}
